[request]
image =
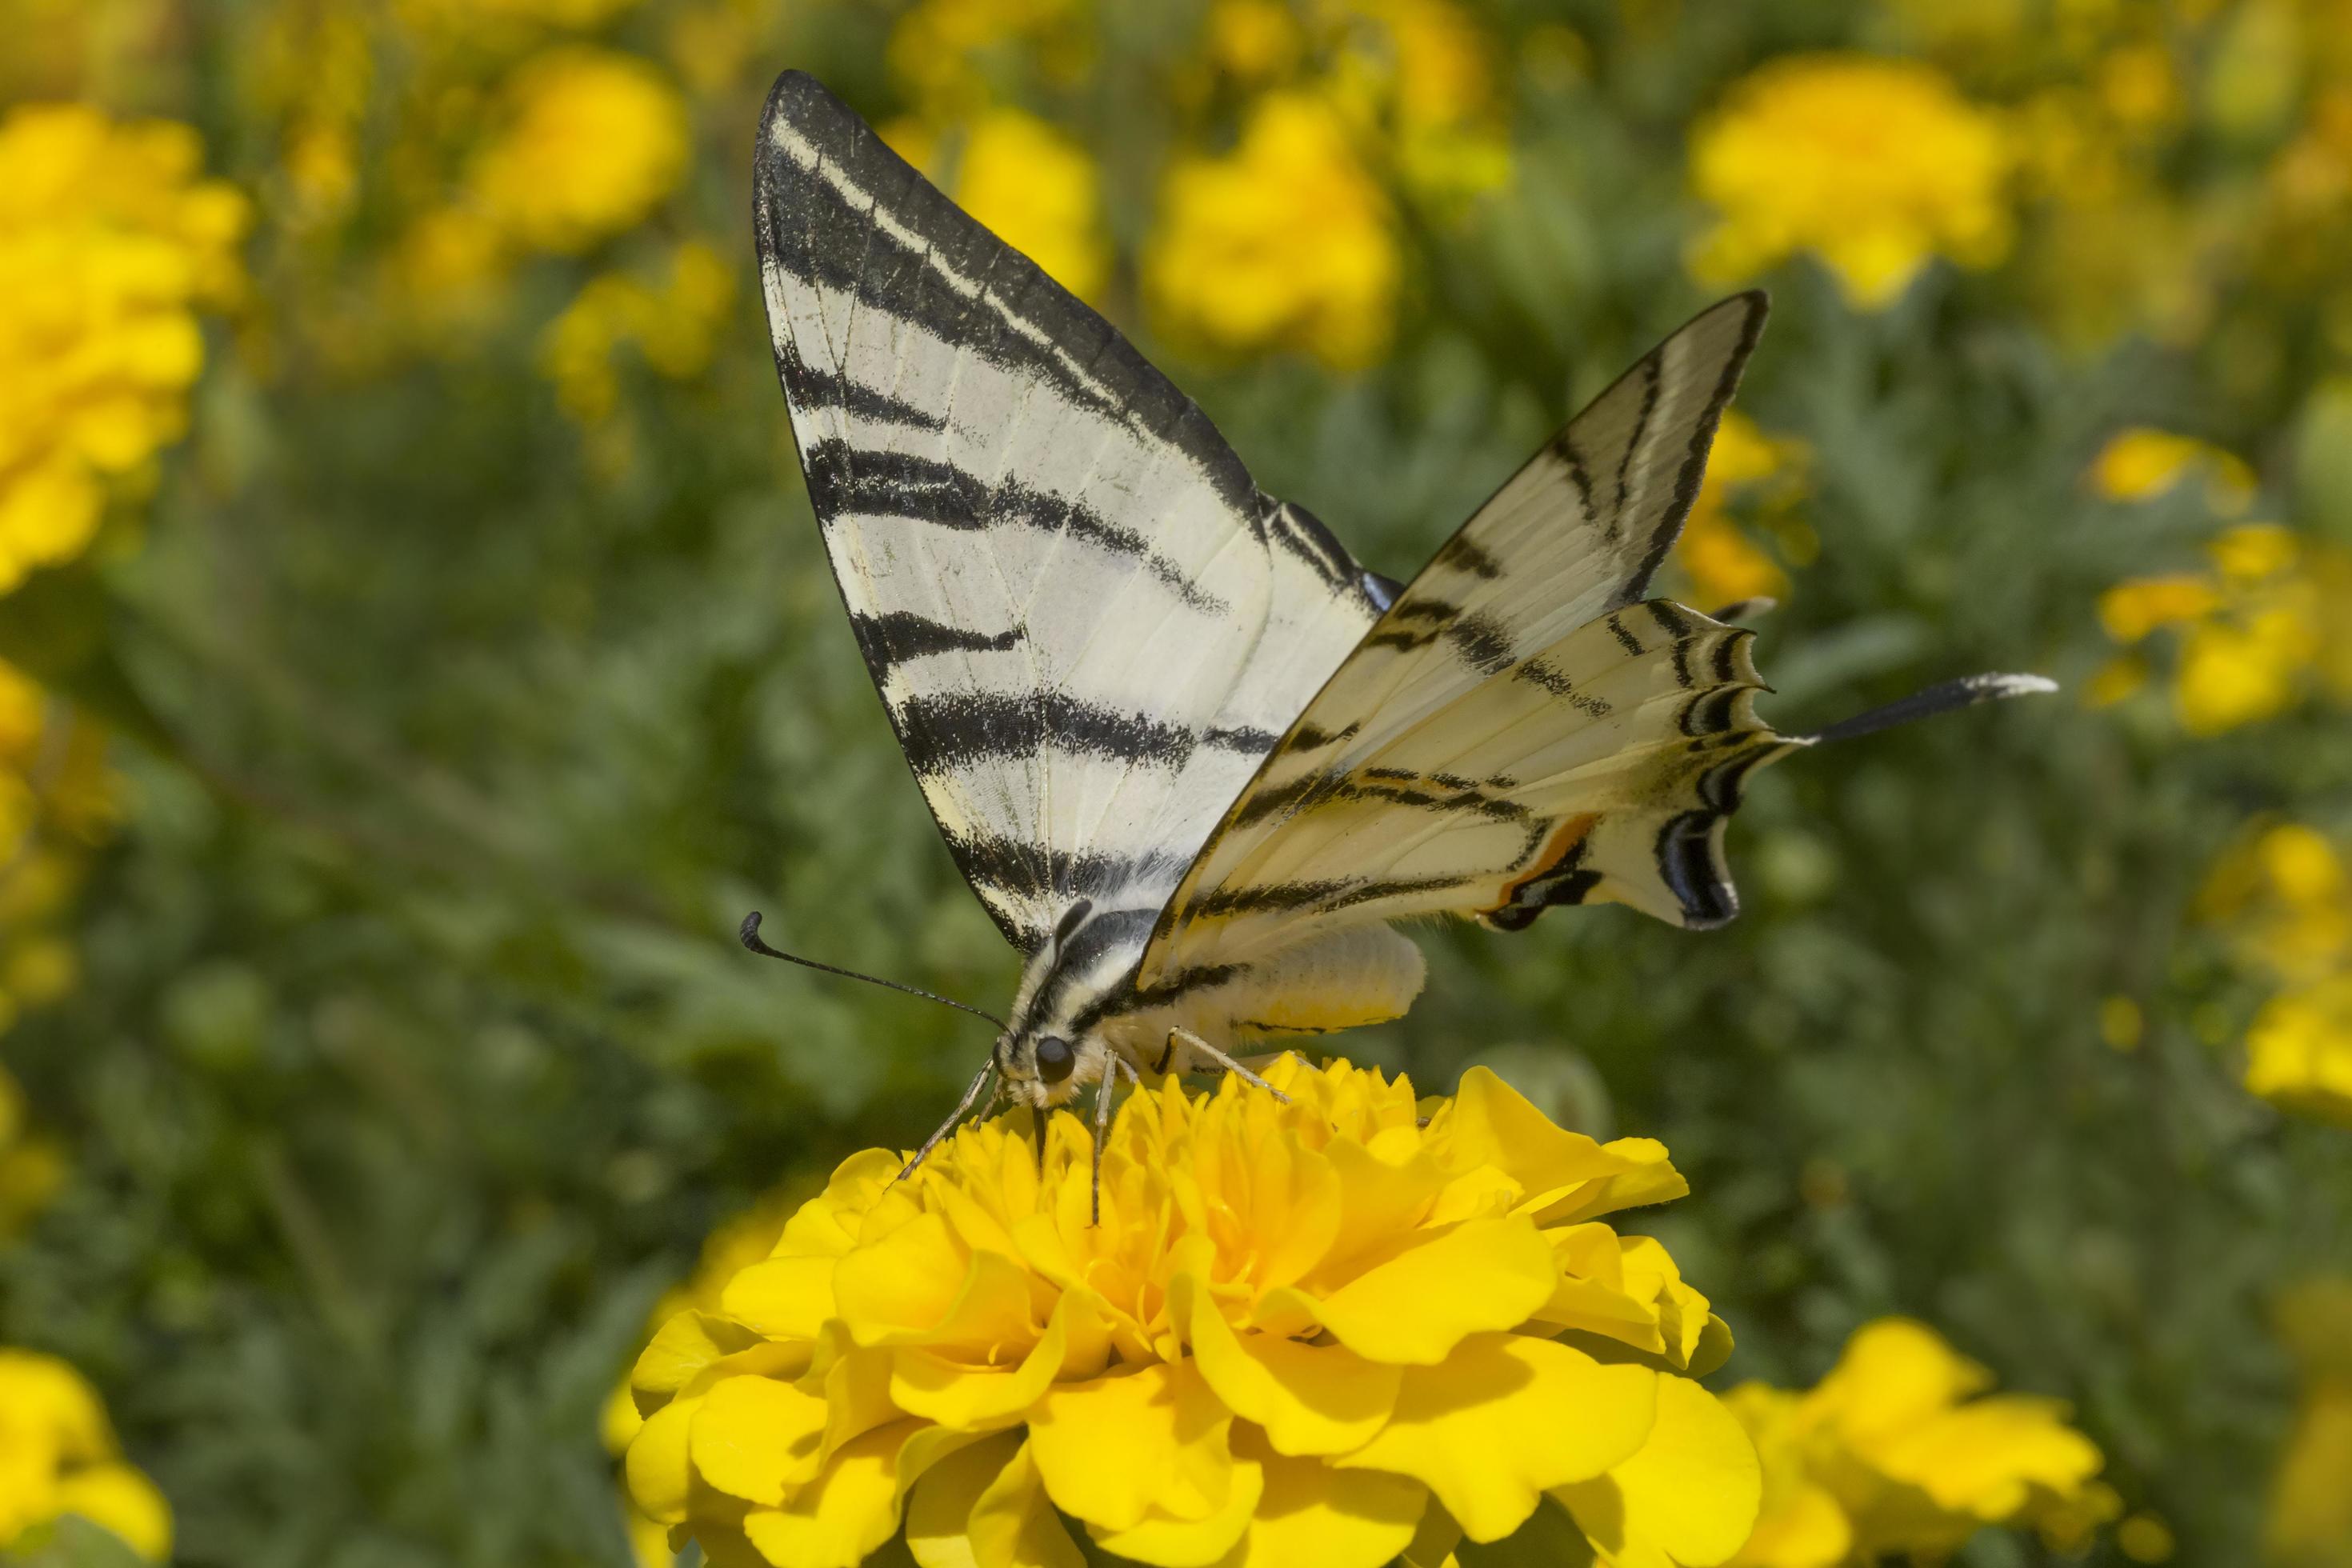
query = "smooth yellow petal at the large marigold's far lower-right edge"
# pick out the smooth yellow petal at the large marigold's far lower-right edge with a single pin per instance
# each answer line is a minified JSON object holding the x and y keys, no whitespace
{"x":1688,"y":1496}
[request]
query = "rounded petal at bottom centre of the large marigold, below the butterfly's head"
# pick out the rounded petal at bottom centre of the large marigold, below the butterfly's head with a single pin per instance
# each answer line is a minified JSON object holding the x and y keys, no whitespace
{"x":1121,"y":1447}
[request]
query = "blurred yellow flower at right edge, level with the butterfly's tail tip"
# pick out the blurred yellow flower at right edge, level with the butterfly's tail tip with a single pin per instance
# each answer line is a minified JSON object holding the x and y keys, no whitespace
{"x":2257,"y":631}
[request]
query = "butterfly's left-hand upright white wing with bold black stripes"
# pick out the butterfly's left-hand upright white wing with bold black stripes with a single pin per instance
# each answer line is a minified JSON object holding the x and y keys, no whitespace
{"x":1083,"y":617}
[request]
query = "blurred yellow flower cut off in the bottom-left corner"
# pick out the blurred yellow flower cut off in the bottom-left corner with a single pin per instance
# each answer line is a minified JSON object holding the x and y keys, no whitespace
{"x":58,"y":1459}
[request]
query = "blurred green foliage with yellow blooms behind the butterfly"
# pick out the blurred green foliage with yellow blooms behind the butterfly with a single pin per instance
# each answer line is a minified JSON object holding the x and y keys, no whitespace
{"x":413,"y":690}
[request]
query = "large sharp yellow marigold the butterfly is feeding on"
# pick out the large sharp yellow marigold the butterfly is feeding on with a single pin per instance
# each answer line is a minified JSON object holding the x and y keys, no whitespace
{"x":1307,"y":1334}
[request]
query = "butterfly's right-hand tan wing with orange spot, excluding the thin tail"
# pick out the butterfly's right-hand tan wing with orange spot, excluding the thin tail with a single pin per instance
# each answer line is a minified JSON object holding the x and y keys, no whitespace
{"x":1521,"y":728}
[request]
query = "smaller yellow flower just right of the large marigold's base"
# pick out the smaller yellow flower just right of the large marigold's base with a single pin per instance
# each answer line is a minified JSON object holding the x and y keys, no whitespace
{"x":1902,"y":1452}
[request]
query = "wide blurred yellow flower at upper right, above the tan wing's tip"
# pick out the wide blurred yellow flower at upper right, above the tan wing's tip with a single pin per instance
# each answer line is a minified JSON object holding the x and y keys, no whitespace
{"x":1873,"y":166}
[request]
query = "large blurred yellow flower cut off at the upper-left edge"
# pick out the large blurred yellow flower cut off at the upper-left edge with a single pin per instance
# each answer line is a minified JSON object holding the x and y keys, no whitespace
{"x":109,"y":248}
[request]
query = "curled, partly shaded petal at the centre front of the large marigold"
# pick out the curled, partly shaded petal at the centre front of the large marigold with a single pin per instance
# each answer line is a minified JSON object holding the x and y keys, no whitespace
{"x":1309,"y":1398}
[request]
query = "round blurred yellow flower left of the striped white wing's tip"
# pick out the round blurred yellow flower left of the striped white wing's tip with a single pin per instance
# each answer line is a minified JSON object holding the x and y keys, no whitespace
{"x":594,"y":140}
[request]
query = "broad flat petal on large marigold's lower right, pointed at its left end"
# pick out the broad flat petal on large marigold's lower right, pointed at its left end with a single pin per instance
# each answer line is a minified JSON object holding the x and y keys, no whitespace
{"x":1506,"y":1419}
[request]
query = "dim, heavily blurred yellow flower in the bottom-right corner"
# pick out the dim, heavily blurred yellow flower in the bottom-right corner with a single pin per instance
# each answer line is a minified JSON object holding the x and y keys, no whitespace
{"x":2311,"y":1508}
